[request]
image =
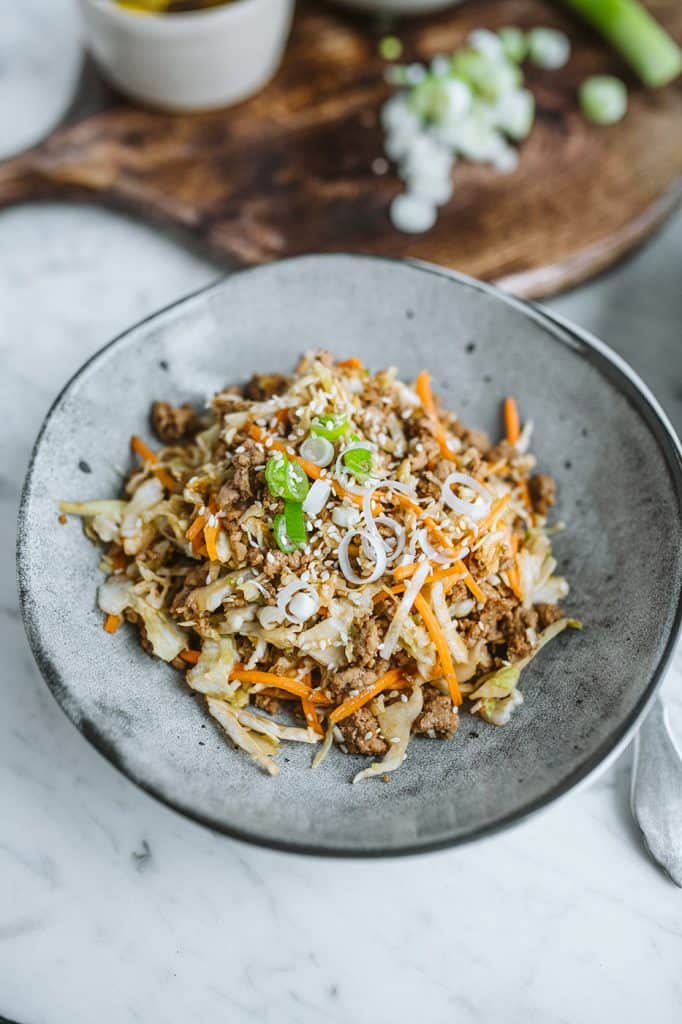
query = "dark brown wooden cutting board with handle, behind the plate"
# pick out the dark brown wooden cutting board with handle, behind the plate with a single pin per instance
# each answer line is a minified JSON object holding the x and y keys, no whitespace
{"x":290,"y":172}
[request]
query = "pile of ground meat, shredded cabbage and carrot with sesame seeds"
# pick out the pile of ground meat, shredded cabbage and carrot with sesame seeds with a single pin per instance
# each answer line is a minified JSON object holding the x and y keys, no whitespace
{"x":334,"y":559}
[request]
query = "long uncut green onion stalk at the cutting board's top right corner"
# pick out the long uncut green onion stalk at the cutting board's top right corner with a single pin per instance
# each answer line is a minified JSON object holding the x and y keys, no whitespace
{"x":636,"y":35}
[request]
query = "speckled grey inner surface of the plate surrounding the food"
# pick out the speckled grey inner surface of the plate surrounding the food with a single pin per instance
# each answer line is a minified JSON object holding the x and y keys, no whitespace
{"x":596,"y":429}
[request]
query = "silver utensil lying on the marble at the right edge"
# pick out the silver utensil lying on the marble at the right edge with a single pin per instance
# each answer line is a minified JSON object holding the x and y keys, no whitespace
{"x":657,"y":791}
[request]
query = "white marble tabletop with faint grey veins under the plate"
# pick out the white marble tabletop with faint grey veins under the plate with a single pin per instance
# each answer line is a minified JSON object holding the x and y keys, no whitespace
{"x":115,"y":910}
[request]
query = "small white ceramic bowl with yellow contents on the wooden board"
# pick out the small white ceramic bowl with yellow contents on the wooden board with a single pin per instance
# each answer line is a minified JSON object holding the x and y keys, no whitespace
{"x":191,"y":62}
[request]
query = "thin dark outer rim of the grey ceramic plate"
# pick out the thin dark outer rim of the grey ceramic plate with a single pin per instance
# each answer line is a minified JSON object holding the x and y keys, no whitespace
{"x":609,"y":362}
